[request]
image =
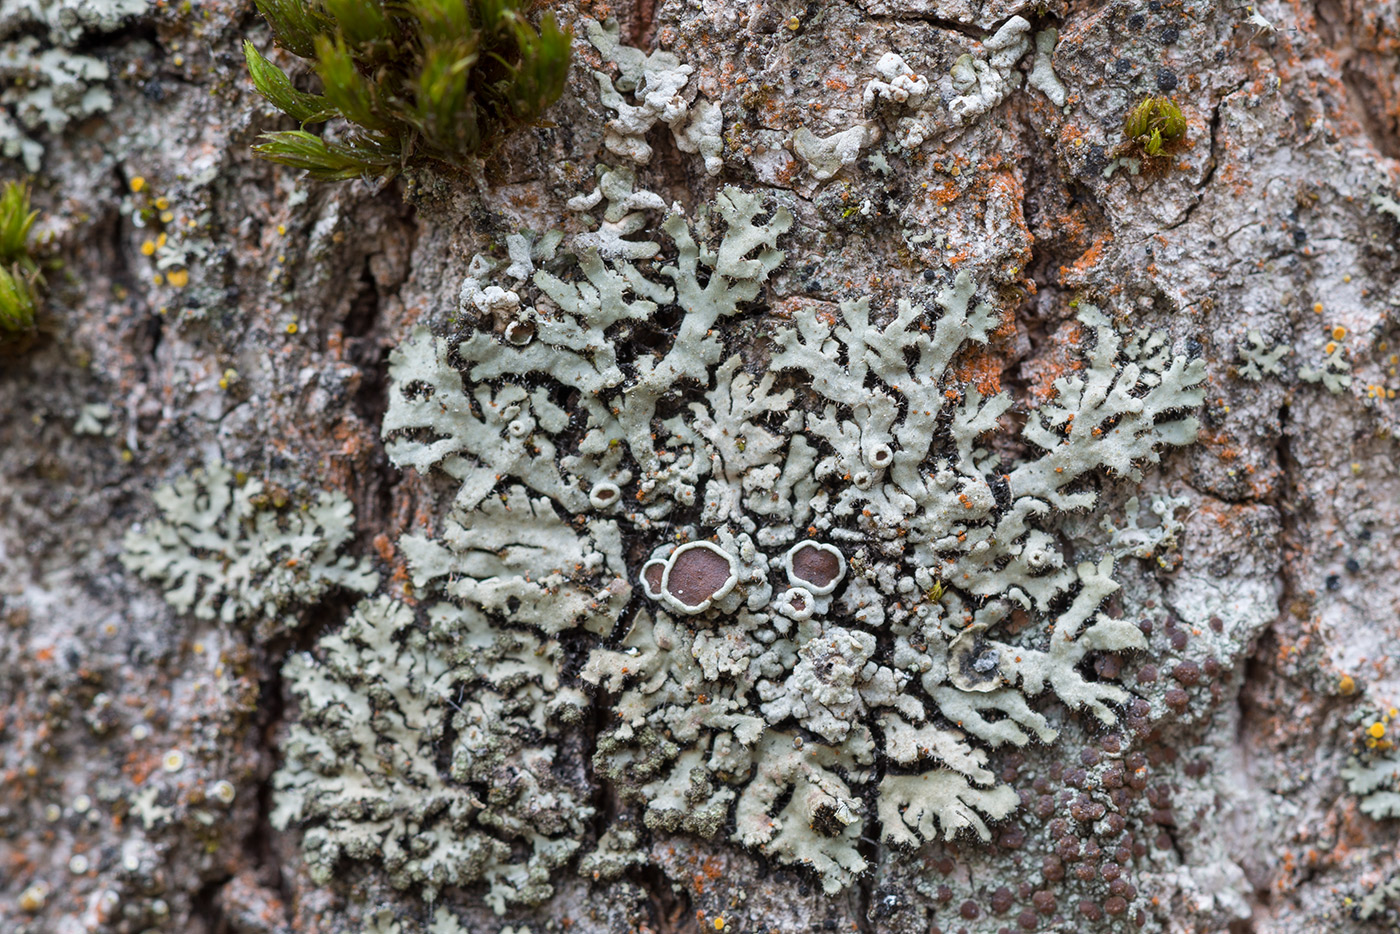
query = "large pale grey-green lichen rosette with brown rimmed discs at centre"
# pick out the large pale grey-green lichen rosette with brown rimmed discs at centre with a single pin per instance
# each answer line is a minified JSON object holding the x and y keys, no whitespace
{"x":804,"y":550}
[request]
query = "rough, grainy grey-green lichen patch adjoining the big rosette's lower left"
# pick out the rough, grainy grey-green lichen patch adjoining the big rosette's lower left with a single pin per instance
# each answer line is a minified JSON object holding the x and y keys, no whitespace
{"x":363,"y":774}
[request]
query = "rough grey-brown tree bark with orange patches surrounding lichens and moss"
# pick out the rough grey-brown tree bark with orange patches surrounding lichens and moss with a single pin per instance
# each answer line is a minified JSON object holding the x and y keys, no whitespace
{"x":1272,"y":629}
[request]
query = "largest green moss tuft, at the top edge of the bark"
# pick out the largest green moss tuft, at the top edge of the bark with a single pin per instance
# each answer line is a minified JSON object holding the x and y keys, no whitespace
{"x":418,"y":82}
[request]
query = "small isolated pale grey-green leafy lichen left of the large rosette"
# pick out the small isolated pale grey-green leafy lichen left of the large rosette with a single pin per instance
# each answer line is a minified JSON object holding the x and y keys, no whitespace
{"x":227,"y":550}
